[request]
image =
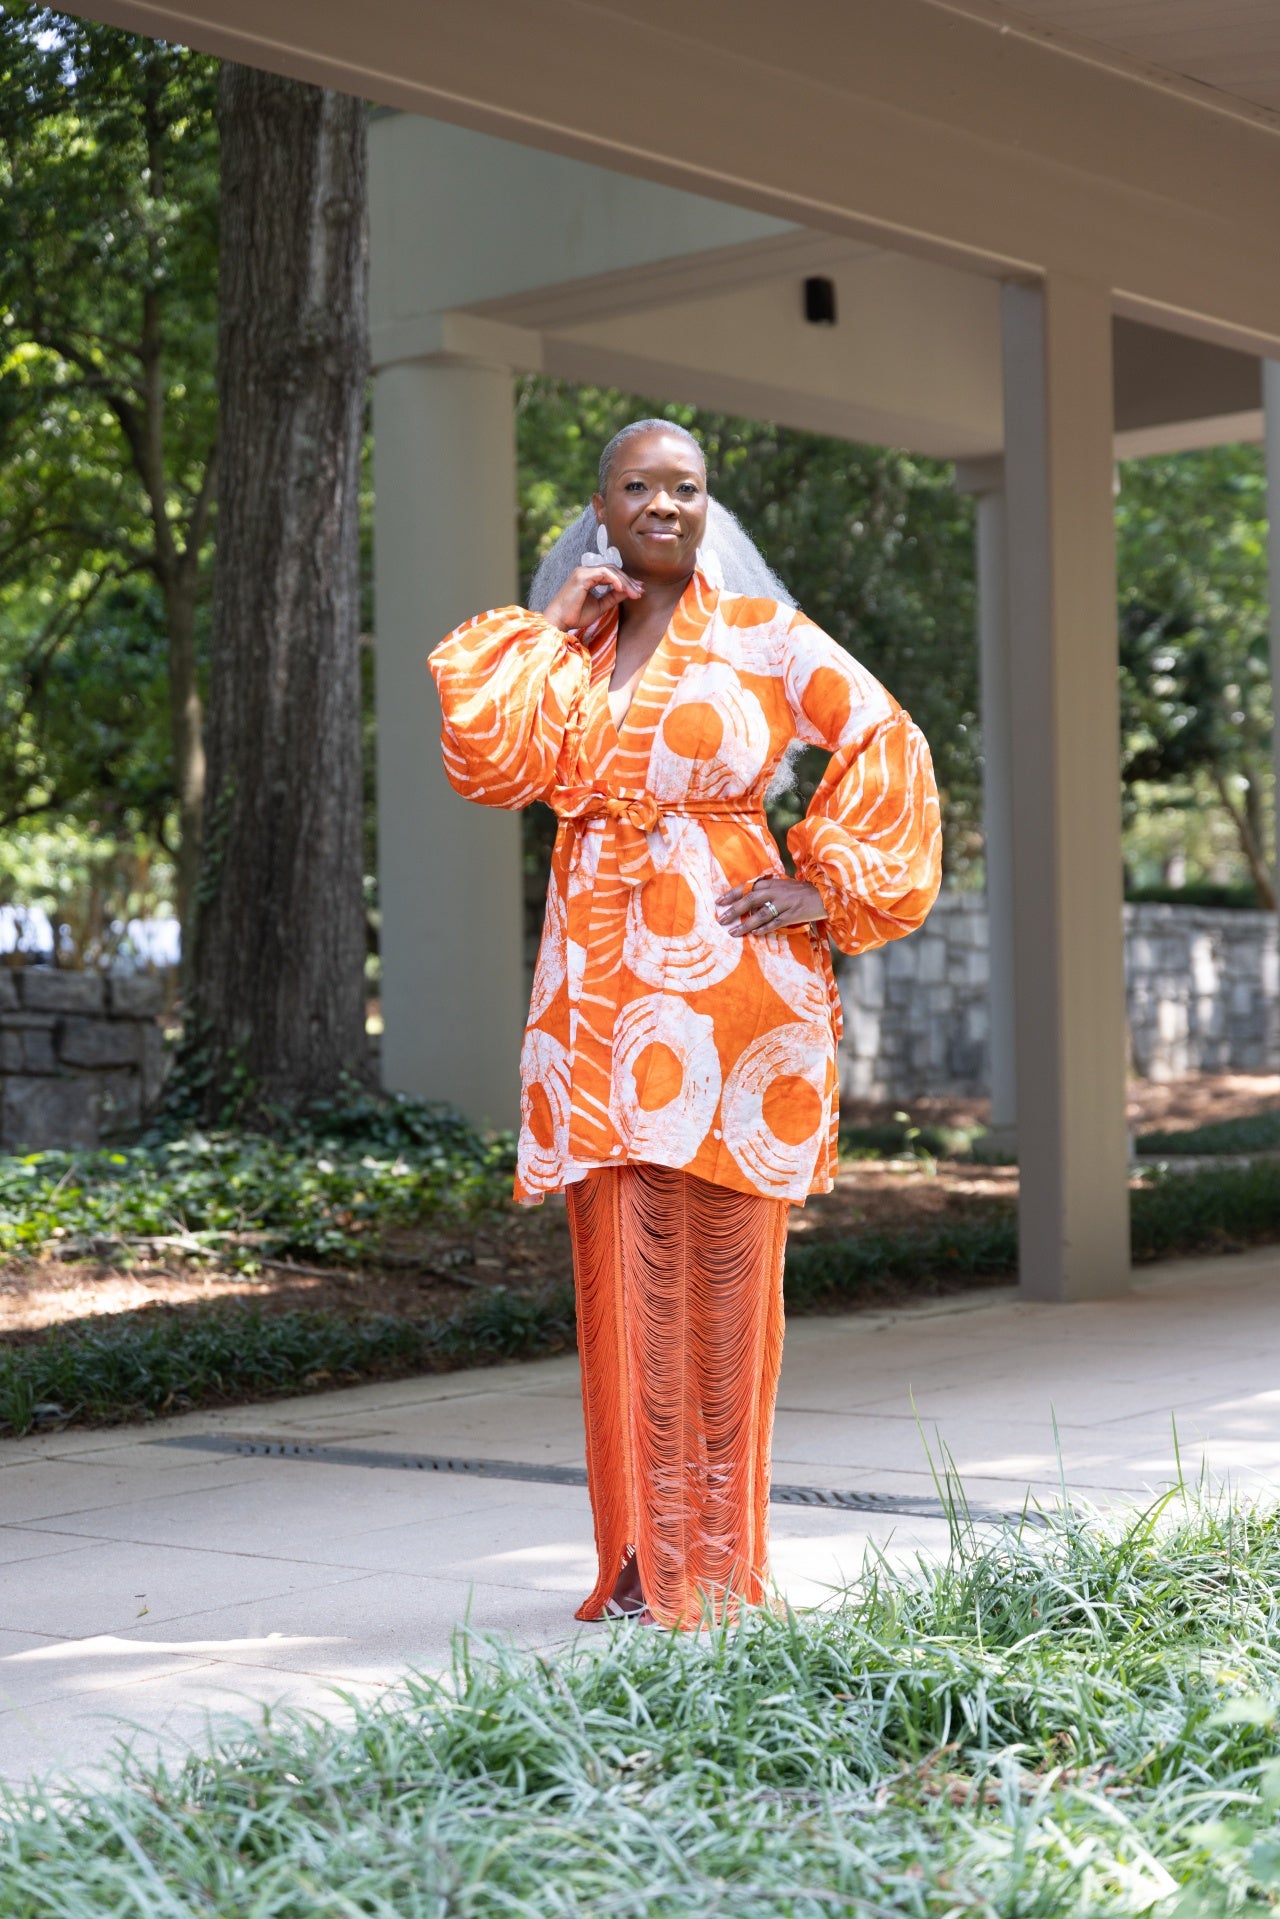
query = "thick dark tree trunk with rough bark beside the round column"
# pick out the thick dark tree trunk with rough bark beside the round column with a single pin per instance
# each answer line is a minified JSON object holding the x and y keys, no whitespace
{"x":279,"y":991}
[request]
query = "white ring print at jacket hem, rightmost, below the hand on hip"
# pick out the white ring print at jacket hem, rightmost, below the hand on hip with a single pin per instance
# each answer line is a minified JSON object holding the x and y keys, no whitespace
{"x":776,"y":1083}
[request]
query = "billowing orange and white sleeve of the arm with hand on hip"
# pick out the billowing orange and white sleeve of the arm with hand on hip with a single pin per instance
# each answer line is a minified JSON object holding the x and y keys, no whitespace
{"x":872,"y":840}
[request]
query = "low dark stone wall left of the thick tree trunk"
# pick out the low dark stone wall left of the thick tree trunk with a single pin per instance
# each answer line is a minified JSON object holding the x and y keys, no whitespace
{"x":82,"y":1054}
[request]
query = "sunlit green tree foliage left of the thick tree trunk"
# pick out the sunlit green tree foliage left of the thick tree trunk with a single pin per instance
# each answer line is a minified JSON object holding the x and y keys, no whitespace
{"x":108,"y":417}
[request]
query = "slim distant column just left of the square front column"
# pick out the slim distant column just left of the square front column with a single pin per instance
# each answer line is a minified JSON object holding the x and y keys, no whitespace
{"x":985,"y":481}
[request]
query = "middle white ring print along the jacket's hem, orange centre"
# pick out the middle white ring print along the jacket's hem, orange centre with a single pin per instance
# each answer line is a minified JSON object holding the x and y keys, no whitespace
{"x":667,"y":1079}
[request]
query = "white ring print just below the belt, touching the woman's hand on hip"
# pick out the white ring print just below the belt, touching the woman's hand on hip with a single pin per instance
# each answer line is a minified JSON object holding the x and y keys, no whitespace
{"x":673,"y":936}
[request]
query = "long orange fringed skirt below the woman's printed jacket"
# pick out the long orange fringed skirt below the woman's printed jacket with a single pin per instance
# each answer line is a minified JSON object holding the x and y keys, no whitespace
{"x":680,"y":1331}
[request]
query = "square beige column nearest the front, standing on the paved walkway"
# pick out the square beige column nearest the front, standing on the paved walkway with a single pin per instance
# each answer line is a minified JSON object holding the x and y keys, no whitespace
{"x":1066,"y":790}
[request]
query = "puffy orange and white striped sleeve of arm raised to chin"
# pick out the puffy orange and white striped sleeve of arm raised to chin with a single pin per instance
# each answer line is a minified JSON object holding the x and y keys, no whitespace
{"x":513,"y":696}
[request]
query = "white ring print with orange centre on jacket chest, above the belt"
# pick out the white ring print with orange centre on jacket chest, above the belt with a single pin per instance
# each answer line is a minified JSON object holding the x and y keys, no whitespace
{"x":713,"y":740}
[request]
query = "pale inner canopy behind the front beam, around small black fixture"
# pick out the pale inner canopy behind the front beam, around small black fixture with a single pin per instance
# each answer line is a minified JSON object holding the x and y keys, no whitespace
{"x":486,"y":250}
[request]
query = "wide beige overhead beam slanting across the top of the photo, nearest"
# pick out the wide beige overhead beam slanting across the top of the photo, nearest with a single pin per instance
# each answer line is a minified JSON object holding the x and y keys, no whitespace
{"x":951,"y":131}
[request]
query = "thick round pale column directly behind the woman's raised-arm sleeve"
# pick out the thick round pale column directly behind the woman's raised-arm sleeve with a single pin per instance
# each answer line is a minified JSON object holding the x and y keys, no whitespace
{"x":450,"y":872}
